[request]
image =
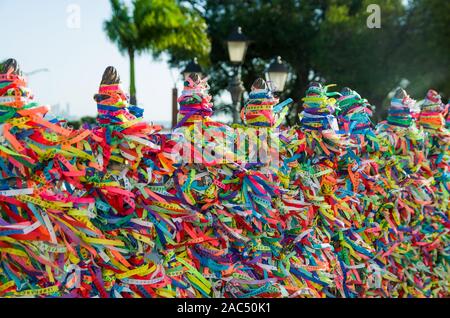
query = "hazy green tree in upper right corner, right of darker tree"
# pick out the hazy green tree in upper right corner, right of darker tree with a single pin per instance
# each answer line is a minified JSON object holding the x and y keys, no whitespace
{"x":411,"y":44}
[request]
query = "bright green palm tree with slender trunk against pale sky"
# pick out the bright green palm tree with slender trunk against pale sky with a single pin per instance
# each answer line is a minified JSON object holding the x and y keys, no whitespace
{"x":156,"y":26}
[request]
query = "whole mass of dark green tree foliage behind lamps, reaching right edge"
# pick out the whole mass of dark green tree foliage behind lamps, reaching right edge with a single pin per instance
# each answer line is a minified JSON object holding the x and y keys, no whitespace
{"x":329,"y":41}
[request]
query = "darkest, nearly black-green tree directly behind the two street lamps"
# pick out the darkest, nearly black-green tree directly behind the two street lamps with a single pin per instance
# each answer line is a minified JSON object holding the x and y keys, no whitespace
{"x":279,"y":27}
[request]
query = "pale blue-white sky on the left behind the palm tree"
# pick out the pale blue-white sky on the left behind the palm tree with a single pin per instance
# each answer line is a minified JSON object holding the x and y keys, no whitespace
{"x":48,"y":34}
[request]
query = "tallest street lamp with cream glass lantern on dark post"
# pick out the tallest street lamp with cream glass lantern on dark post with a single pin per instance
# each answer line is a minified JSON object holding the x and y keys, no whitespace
{"x":237,"y":44}
